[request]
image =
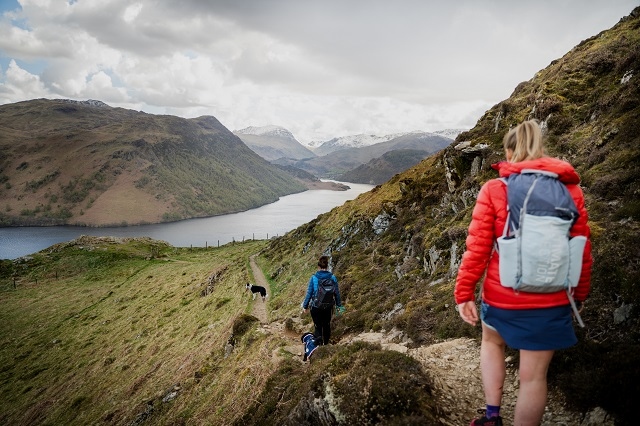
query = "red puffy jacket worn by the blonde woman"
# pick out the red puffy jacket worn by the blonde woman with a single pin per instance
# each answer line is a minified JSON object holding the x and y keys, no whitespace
{"x":487,"y":224}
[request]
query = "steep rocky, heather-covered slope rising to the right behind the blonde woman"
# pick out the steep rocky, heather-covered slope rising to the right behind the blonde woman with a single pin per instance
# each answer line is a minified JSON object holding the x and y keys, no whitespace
{"x":396,"y":250}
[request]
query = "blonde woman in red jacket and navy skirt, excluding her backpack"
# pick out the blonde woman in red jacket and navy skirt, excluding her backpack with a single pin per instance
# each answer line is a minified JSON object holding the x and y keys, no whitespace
{"x":536,"y":324}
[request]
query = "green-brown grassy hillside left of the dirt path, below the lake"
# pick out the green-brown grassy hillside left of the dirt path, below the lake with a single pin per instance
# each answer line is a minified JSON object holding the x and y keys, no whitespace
{"x":102,"y":330}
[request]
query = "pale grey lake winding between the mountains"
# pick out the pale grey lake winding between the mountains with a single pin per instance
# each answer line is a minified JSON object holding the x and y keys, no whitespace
{"x":264,"y":222}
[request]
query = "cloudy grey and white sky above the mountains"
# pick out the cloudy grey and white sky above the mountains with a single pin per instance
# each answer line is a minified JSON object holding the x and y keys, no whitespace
{"x":321,"y":68}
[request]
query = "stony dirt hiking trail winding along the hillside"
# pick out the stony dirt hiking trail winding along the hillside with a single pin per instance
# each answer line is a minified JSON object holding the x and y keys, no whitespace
{"x":453,"y":366}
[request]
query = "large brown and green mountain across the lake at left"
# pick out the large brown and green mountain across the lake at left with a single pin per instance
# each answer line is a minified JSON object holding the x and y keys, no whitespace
{"x":70,"y":162}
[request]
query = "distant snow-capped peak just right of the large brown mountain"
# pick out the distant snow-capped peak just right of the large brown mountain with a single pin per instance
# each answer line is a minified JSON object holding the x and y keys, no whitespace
{"x":273,"y":142}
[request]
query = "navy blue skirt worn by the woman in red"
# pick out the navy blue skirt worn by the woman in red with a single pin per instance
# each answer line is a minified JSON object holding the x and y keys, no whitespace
{"x":532,"y":329}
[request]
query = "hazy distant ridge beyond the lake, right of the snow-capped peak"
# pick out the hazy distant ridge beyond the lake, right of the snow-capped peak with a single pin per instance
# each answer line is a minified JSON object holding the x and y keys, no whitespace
{"x":339,"y":162}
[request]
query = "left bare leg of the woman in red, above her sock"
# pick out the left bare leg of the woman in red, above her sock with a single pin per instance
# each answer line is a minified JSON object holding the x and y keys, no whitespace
{"x":492,"y":365}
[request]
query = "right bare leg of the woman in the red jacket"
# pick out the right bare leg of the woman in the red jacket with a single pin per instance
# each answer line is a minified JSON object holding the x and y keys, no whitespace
{"x":532,"y":396}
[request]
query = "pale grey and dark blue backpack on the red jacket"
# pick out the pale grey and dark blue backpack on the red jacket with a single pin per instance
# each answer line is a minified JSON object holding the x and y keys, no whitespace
{"x":536,"y":252}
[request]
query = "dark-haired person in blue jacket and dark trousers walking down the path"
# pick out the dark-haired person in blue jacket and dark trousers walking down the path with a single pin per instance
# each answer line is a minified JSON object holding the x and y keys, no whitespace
{"x":321,"y":315}
